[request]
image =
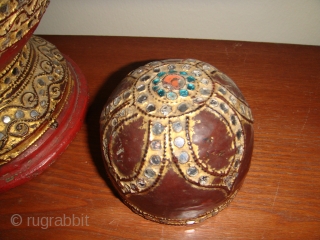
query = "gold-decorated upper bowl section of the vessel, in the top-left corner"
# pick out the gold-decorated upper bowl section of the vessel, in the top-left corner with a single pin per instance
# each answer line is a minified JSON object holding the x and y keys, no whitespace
{"x":17,"y":18}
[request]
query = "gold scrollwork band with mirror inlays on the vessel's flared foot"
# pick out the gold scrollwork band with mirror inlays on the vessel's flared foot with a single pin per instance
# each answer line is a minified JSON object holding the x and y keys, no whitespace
{"x":33,"y":91}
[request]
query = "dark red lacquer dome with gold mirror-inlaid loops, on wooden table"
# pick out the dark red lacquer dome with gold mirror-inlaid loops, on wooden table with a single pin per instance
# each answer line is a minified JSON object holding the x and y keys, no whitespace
{"x":177,"y":140}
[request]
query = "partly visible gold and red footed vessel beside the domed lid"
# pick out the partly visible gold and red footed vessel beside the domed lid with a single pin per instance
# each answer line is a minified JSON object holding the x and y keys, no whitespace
{"x":43,"y":95}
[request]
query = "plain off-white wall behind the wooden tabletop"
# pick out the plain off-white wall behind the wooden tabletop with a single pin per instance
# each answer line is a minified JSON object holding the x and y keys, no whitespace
{"x":284,"y":21}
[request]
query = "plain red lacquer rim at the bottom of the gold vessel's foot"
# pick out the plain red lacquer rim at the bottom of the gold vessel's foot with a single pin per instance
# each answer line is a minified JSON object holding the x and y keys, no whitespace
{"x":42,"y":154}
